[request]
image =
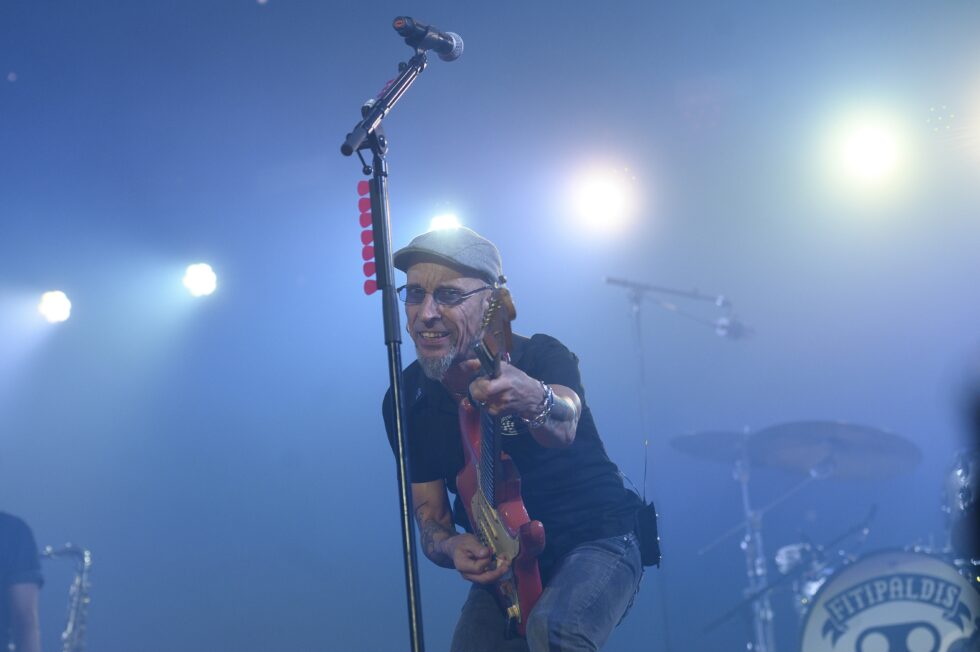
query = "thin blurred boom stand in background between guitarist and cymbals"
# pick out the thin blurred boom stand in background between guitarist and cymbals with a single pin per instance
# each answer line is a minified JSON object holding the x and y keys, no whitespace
{"x":726,"y":326}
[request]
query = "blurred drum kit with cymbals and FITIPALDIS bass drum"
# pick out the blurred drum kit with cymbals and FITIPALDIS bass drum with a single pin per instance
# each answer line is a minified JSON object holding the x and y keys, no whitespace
{"x":902,"y":600}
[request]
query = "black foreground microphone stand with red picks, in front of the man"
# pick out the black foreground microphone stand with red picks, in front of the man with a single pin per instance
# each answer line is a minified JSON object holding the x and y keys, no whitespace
{"x":368,"y":134}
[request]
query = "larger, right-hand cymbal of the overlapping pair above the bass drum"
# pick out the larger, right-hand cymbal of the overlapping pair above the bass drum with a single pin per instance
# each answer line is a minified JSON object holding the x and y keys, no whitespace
{"x":833,"y":448}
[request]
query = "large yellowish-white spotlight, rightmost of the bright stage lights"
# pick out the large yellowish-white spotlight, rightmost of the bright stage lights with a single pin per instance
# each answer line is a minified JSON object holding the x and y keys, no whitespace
{"x":870,"y":150}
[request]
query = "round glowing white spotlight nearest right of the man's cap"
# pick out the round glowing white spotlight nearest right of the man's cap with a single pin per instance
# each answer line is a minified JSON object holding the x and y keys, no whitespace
{"x":604,"y":199}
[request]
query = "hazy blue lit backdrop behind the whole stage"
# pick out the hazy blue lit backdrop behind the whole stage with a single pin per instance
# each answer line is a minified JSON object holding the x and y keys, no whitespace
{"x":225,"y":458}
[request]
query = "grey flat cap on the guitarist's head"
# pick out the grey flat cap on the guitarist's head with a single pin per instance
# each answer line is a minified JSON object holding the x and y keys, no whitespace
{"x":462,"y":249}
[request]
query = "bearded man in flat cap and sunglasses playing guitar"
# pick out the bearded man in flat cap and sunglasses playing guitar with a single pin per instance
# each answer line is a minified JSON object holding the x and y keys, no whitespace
{"x":591,"y":563}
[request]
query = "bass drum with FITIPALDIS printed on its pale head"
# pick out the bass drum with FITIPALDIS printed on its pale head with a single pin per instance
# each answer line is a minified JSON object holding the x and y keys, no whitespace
{"x":894,"y":601}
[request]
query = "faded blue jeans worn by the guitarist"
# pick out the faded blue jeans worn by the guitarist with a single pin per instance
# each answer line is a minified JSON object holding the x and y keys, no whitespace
{"x":588,"y":594}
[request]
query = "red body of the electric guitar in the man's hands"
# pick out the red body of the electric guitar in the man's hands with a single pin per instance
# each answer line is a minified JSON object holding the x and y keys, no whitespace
{"x":507,"y":529}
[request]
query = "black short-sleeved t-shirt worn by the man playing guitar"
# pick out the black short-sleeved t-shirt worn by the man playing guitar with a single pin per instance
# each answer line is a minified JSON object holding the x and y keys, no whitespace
{"x":576,"y":492}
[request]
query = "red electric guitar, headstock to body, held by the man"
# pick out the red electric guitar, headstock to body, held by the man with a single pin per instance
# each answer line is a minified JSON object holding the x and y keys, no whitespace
{"x":490,"y":486}
